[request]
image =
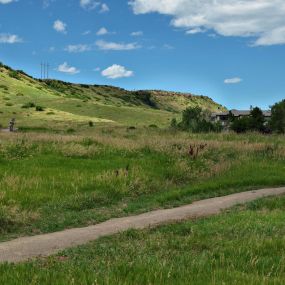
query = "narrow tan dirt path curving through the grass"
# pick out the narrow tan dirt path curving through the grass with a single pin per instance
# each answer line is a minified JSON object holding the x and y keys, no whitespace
{"x":25,"y":248}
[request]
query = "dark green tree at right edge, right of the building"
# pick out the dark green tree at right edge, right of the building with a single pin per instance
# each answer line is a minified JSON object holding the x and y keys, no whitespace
{"x":277,"y":122}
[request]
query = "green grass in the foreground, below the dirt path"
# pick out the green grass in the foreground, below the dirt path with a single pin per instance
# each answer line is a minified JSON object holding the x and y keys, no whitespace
{"x":242,"y":246}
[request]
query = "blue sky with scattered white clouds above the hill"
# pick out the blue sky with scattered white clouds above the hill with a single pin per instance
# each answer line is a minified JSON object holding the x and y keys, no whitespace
{"x":230,"y":50}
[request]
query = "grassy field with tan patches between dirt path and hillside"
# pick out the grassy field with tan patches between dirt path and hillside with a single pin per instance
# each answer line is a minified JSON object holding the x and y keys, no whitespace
{"x":54,"y":181}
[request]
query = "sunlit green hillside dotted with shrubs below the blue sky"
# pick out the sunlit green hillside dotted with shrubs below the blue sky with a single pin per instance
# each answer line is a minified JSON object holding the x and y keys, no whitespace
{"x":36,"y":103}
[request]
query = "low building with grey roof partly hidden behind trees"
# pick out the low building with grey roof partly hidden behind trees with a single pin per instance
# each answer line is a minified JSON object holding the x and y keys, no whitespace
{"x":224,"y":117}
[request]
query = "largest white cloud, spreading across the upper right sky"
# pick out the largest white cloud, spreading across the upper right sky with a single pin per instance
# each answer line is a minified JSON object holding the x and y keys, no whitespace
{"x":262,"y":20}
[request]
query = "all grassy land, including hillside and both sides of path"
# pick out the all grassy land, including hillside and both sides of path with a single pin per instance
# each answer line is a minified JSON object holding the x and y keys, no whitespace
{"x":85,"y":153}
